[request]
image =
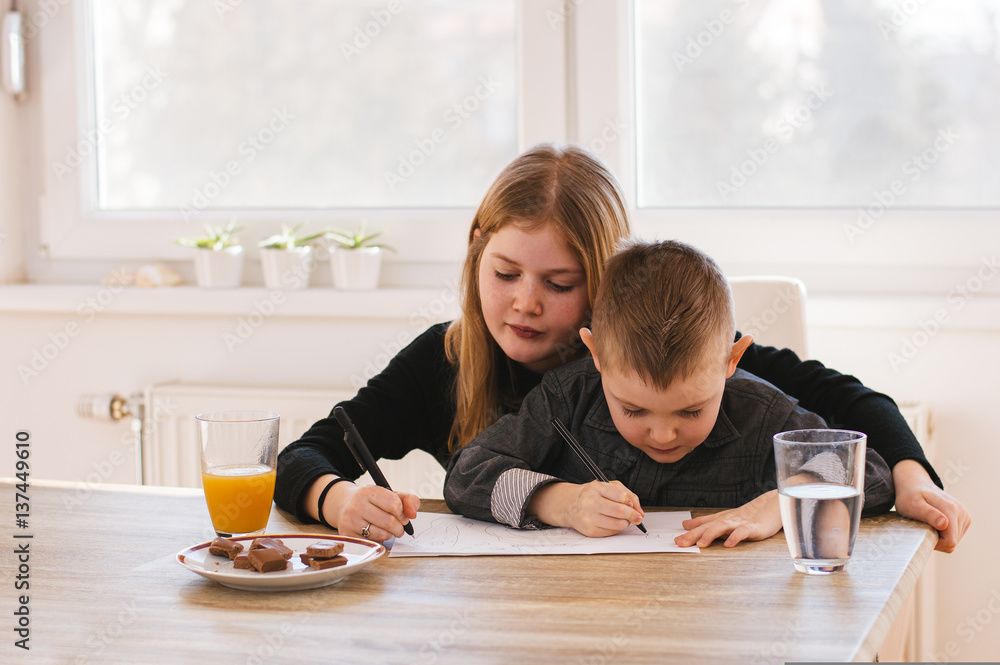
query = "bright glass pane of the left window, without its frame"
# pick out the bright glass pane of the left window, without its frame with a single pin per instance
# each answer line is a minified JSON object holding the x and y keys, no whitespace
{"x":284,"y":104}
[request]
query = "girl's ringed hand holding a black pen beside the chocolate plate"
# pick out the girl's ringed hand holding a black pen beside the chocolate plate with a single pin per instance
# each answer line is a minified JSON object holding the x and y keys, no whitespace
{"x":351,"y":508}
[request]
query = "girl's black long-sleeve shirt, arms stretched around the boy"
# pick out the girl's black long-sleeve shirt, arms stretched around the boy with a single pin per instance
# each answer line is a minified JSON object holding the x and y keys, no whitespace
{"x":411,"y":405}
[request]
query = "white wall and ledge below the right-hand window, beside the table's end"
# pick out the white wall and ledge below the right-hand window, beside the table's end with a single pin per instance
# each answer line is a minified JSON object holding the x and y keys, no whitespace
{"x":955,"y":371}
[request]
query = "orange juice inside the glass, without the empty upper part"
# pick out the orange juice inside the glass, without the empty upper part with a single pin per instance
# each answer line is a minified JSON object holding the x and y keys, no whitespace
{"x":239,"y":496}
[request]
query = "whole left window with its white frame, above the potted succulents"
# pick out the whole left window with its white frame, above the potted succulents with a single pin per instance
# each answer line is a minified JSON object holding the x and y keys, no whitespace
{"x":159,"y":116}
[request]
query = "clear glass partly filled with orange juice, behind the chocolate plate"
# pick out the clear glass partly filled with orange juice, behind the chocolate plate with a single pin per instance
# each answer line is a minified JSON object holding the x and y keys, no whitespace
{"x":239,"y":452}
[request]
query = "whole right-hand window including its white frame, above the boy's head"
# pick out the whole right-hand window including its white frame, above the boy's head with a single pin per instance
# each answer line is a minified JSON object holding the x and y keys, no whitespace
{"x":858,"y":235}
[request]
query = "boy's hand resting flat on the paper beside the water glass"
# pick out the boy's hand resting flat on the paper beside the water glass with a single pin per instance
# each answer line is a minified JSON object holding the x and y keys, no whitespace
{"x":757,"y":520}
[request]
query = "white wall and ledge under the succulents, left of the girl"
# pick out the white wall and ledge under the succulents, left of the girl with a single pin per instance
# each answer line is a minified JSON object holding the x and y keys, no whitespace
{"x":66,"y":348}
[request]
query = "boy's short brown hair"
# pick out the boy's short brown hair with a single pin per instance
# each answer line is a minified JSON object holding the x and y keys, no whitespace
{"x":663,"y":310}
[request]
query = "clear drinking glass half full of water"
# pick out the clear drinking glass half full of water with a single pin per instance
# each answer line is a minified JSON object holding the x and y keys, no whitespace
{"x":821,"y":481}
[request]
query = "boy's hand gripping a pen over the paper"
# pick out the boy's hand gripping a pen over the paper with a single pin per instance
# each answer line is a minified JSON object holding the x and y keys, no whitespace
{"x":596,"y":509}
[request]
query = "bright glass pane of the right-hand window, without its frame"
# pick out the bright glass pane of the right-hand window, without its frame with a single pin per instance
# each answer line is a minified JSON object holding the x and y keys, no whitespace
{"x":801,"y":103}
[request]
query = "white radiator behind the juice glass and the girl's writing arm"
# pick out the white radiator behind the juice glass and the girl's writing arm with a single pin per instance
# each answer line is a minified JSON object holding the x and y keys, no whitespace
{"x":170,"y":453}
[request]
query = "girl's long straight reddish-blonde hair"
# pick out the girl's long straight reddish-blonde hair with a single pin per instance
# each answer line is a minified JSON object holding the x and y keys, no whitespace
{"x":566,"y":187}
